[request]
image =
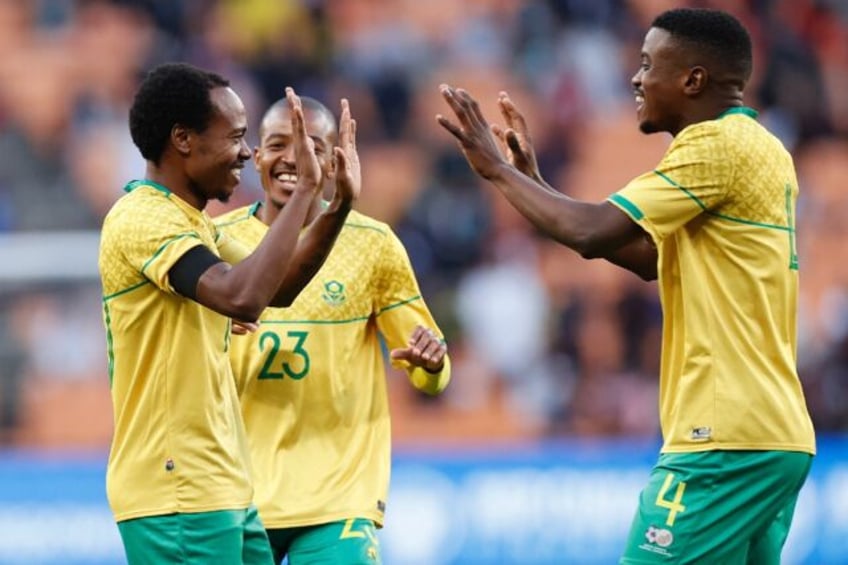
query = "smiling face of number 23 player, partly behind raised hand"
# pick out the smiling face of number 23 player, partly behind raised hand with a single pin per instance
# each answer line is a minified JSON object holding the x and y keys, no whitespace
{"x":274,"y":158}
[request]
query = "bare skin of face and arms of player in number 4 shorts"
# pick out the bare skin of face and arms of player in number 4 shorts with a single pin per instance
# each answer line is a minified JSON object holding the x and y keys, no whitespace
{"x":674,"y":88}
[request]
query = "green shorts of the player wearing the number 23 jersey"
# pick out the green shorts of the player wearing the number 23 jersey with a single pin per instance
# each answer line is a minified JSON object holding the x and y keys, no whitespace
{"x":346,"y":542}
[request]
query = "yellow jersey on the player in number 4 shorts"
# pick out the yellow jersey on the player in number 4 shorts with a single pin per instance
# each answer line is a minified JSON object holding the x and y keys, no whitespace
{"x":720,"y":209}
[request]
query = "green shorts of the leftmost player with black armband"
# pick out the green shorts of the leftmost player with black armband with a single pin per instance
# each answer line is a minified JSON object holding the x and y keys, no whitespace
{"x":223,"y":536}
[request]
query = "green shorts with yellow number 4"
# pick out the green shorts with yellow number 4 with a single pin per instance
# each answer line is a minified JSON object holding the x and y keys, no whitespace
{"x":728,"y":507}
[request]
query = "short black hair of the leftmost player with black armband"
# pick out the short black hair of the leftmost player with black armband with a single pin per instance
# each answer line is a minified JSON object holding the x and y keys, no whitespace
{"x":170,"y":94}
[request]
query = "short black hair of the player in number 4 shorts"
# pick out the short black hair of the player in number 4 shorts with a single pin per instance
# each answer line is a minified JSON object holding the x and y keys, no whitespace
{"x":717,"y":34}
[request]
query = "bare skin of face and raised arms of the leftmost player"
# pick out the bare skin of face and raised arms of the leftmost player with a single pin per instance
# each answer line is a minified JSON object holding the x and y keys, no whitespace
{"x":200,"y":166}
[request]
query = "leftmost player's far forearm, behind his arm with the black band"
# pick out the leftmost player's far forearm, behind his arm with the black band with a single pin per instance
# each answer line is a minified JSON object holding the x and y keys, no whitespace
{"x":312,"y":250}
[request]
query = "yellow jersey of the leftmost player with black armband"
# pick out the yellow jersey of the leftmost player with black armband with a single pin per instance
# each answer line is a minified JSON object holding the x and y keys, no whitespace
{"x":179,"y":443}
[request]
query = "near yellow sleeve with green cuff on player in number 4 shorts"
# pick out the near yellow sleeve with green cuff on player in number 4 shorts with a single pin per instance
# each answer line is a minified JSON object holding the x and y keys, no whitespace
{"x":692,"y":178}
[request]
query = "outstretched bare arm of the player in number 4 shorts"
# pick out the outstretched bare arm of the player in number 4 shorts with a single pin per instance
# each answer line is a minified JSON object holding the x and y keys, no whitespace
{"x":593,"y":230}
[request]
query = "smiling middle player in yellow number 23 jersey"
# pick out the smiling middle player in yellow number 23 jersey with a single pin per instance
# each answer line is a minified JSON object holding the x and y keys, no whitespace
{"x":311,"y":380}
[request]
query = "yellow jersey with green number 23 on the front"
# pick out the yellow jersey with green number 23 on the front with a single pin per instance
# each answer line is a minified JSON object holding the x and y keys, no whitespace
{"x":312,"y":381}
